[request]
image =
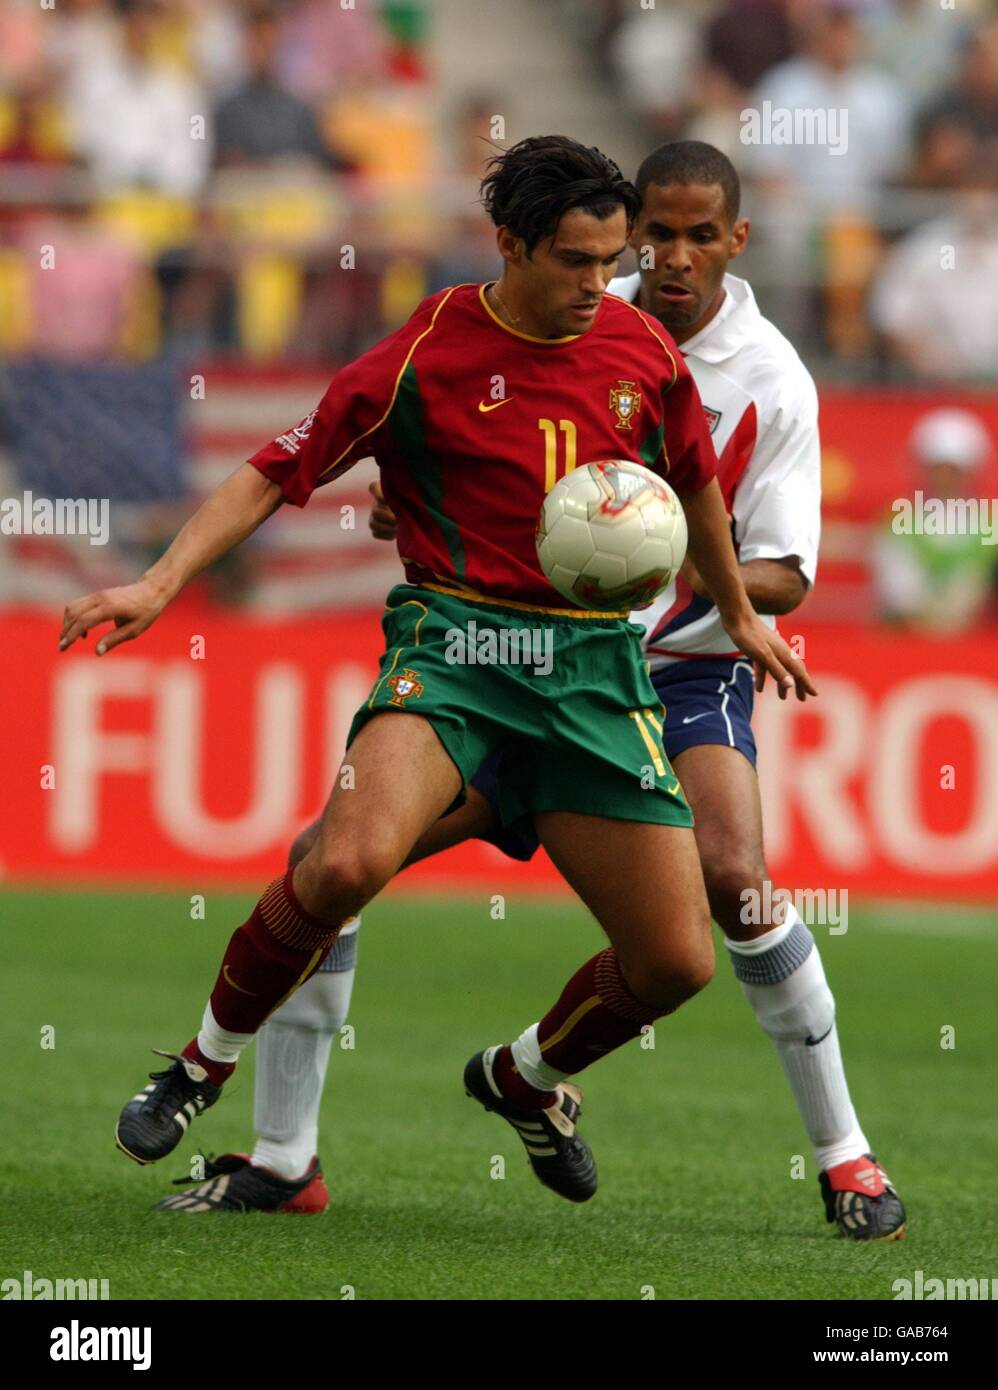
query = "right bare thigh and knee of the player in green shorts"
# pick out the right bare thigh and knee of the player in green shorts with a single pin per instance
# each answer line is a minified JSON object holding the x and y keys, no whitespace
{"x":643,"y":883}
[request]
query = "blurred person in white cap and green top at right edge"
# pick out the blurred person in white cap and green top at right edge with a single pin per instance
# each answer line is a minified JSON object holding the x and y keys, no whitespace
{"x":939,"y":583}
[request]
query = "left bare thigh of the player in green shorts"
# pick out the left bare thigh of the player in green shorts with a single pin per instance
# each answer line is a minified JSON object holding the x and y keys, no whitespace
{"x":402,"y":780}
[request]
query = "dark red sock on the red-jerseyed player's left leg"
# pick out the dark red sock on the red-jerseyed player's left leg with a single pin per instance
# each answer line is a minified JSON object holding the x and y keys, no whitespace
{"x":269,"y":958}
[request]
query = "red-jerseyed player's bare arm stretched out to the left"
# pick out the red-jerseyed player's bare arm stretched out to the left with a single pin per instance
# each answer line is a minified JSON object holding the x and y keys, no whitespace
{"x":233,"y":512}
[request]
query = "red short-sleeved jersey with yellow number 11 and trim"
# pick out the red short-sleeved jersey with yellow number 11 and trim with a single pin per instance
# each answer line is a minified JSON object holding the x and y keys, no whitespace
{"x":472,"y":423}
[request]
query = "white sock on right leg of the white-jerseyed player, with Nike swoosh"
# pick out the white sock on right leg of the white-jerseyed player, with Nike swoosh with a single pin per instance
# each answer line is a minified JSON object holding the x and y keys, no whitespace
{"x":783,"y":979}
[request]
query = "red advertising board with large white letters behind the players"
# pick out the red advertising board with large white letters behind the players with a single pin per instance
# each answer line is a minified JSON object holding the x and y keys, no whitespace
{"x":194,"y":755}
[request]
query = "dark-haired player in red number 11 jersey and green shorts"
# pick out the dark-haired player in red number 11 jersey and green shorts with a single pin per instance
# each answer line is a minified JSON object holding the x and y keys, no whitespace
{"x":473,"y":409}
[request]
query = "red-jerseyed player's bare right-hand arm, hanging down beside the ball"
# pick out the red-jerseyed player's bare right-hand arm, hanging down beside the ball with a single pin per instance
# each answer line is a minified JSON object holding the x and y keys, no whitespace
{"x":714,"y":555}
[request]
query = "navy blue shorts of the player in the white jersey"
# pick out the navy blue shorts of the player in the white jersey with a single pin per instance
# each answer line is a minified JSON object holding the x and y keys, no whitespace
{"x":707,"y":703}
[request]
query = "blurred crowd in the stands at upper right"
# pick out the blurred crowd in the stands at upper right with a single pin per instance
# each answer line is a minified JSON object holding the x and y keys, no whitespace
{"x":851,"y":243}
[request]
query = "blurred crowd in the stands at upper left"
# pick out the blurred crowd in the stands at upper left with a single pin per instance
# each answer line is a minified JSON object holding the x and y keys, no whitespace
{"x":205,"y":170}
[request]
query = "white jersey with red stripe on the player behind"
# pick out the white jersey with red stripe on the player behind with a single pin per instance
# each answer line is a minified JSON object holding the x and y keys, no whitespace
{"x":762,"y":411}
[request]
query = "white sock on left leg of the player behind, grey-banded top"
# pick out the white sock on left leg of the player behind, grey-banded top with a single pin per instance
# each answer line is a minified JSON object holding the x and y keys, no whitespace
{"x":293,"y":1060}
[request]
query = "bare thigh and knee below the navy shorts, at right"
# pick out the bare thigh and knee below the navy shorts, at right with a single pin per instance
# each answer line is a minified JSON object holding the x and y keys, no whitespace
{"x":723,"y":792}
